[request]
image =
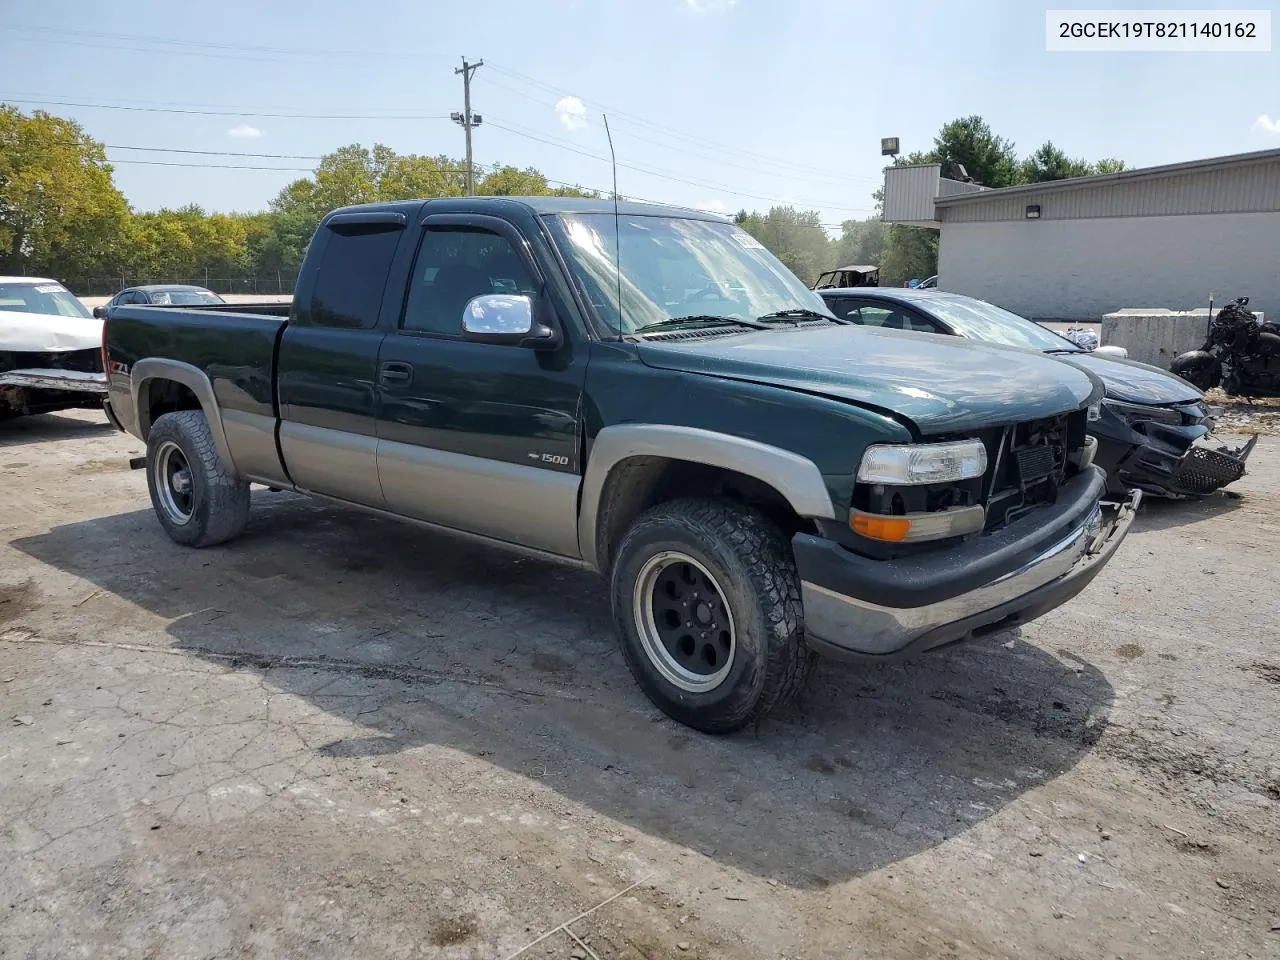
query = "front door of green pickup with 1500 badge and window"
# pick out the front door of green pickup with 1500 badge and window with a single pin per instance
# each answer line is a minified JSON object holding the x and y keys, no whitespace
{"x":479,"y":437}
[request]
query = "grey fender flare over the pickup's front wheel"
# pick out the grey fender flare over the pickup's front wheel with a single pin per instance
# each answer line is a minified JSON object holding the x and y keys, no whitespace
{"x":794,"y":477}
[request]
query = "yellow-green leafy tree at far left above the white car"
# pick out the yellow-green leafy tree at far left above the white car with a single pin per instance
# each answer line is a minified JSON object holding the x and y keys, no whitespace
{"x":61,"y":214}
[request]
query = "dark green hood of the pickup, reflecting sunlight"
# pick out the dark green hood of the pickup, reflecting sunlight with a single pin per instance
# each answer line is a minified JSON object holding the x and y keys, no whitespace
{"x":941,"y":385}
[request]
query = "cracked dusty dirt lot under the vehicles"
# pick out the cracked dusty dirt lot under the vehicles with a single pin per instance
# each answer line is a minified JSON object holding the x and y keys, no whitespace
{"x":341,"y":738}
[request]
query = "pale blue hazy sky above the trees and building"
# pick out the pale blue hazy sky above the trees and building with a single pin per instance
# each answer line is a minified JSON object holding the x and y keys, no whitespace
{"x":716,"y":104}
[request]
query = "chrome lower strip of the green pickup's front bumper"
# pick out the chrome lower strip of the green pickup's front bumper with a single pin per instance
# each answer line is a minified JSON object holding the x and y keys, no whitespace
{"x":844,"y":627}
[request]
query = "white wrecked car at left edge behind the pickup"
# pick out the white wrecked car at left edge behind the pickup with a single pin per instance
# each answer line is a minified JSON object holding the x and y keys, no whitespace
{"x":51,"y":350}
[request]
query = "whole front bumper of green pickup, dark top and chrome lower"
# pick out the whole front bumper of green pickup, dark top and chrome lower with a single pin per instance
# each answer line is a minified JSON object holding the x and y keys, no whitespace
{"x":860,"y":609}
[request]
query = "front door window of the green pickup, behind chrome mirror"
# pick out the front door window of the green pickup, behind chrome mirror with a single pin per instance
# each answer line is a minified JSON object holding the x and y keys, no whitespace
{"x":454,"y":266}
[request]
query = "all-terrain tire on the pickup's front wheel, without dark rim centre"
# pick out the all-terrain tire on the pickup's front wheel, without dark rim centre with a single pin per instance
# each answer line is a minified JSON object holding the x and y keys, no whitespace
{"x":753,"y":572}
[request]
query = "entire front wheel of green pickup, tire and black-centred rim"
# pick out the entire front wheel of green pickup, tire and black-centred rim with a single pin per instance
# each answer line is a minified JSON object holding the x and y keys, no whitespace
{"x":707,"y":605}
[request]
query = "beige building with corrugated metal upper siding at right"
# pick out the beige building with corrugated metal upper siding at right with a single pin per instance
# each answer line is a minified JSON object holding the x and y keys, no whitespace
{"x":1075,"y":250}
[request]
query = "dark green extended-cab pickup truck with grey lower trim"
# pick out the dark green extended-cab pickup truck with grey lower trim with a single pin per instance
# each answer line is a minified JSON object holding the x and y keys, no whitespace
{"x":758,"y":481}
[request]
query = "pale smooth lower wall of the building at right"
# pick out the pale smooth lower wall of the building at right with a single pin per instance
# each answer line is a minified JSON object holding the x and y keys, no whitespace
{"x":1082,"y":269}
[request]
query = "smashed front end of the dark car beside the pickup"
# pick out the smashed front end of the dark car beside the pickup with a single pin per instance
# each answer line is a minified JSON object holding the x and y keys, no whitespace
{"x":1167,"y":450}
